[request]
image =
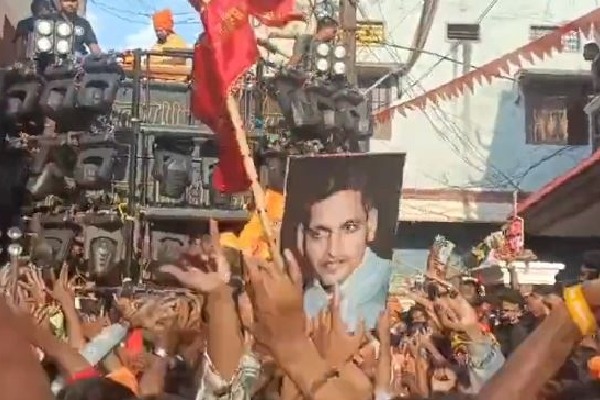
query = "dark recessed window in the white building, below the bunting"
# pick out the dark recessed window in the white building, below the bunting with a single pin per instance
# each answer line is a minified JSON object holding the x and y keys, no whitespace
{"x":556,"y":119}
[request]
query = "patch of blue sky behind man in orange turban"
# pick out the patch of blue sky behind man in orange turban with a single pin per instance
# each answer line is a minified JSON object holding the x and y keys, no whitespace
{"x":127,"y":24}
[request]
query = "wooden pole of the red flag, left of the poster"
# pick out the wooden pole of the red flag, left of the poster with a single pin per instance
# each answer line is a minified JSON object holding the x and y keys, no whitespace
{"x":257,"y":191}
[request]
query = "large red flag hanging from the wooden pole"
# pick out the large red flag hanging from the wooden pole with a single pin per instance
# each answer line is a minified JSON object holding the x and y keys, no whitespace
{"x":226,"y":51}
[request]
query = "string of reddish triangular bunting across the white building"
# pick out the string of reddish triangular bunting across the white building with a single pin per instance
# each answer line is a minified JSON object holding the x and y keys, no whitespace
{"x":527,"y":54}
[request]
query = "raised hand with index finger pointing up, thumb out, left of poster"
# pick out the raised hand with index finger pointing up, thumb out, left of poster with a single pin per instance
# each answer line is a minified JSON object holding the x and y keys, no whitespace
{"x":212,"y":270}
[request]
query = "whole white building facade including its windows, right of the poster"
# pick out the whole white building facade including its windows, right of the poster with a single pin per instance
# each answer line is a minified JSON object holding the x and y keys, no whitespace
{"x":469,"y":156}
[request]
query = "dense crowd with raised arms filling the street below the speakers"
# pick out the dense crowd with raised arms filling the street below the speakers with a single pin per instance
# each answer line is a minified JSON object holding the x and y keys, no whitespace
{"x":243,"y":333}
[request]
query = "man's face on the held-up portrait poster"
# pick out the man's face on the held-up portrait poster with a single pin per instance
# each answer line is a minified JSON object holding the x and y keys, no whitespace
{"x":335,"y":240}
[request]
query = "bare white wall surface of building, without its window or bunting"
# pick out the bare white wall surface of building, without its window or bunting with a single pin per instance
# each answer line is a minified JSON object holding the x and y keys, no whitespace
{"x":476,"y":141}
